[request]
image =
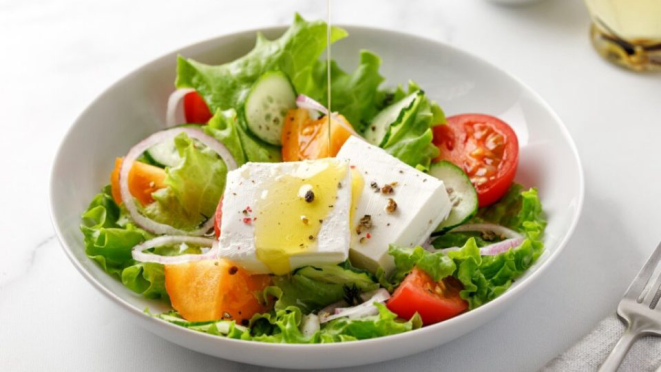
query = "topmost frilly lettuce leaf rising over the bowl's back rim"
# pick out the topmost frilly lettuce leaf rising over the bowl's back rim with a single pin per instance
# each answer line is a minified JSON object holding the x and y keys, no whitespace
{"x":295,"y":53}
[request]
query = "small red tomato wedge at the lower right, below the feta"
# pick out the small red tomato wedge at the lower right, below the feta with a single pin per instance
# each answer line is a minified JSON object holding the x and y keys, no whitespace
{"x":434,"y":301}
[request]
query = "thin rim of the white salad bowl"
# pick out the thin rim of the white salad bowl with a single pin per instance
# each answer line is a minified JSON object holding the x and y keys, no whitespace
{"x":438,"y":327}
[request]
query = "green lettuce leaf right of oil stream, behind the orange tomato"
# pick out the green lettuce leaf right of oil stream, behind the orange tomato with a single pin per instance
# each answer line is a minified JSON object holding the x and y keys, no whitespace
{"x":355,"y":95}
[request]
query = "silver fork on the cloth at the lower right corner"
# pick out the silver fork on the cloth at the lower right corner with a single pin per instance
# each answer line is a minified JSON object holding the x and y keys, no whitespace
{"x":639,"y":310}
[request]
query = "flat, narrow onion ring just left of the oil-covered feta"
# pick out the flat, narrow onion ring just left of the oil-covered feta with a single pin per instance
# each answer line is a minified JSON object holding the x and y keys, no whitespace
{"x":140,"y":255}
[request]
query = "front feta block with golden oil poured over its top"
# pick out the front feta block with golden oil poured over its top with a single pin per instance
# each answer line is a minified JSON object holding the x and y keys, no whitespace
{"x":281,"y":216}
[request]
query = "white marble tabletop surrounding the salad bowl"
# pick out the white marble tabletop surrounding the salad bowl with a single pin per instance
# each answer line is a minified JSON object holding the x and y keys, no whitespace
{"x":57,"y":56}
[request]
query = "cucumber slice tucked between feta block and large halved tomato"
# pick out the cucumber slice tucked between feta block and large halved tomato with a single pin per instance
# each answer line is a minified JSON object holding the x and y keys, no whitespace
{"x":462,"y":195}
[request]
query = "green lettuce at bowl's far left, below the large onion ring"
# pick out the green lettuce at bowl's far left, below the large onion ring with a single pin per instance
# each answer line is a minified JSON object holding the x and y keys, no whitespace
{"x":109,"y":238}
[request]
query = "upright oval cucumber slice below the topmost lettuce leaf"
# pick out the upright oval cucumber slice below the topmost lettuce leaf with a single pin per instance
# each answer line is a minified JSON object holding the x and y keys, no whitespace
{"x":267,"y":105}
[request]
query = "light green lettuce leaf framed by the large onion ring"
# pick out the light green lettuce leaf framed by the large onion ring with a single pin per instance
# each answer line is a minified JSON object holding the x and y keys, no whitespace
{"x":193,"y":190}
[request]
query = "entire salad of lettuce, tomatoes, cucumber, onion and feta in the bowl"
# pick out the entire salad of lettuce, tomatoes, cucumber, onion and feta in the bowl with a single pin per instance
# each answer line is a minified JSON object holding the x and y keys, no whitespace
{"x":258,"y":213}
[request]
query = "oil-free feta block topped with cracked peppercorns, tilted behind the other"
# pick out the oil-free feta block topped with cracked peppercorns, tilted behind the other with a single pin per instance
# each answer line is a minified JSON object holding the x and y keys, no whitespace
{"x":404,"y":213}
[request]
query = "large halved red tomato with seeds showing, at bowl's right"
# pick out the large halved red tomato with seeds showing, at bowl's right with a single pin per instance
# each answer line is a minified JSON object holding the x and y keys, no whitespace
{"x":485,"y":147}
